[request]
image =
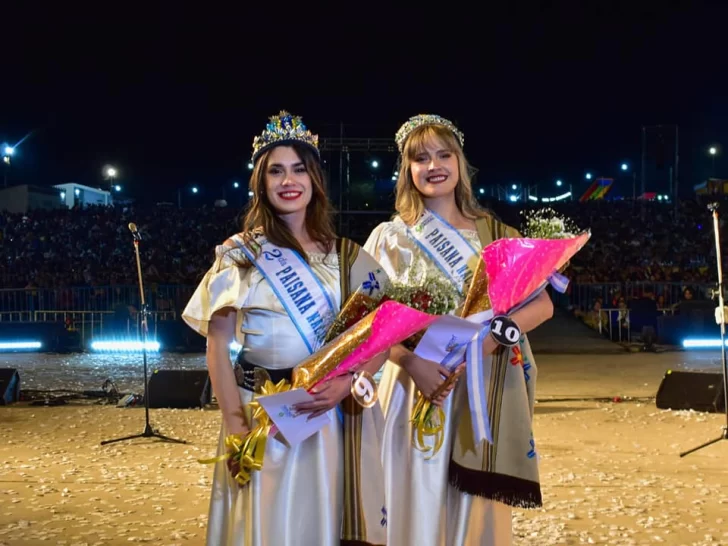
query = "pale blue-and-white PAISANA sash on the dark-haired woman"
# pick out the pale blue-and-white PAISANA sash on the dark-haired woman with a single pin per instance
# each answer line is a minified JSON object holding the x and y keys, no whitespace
{"x":306,"y":300}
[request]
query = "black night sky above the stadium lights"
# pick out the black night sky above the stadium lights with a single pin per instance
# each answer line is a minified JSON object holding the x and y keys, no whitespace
{"x":543,"y":91}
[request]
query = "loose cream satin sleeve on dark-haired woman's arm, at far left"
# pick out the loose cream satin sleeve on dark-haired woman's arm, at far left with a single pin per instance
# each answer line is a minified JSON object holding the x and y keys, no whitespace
{"x":226,"y":284}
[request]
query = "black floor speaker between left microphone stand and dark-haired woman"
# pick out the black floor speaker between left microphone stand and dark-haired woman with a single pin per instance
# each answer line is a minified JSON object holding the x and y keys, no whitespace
{"x":179,"y":389}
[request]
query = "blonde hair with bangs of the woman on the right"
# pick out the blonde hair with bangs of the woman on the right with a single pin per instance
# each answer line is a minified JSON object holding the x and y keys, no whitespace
{"x":409,"y":202}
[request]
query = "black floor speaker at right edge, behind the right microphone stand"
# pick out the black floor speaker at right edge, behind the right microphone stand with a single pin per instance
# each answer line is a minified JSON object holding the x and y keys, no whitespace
{"x":697,"y":391}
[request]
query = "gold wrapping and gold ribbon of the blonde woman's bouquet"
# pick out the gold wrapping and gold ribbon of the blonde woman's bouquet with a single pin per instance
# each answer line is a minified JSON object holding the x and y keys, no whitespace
{"x":427,"y":419}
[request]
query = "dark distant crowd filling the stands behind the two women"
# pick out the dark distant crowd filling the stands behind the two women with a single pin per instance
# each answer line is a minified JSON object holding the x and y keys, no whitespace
{"x":654,"y":242}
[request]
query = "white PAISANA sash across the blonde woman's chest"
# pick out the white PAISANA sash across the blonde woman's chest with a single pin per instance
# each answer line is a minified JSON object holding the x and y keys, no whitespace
{"x":445,"y":246}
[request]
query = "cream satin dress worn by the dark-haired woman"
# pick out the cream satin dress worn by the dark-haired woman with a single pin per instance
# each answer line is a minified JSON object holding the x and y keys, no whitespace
{"x":296,"y":499}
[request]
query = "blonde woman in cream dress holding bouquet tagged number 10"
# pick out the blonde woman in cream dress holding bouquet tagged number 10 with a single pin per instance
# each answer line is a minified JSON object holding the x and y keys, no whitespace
{"x":463,"y":494}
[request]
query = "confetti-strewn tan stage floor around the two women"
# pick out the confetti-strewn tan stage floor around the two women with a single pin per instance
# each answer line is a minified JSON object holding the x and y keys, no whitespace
{"x":610,"y":470}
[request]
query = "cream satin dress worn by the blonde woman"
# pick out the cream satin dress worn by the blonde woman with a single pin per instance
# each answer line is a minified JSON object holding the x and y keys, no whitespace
{"x":424,"y":509}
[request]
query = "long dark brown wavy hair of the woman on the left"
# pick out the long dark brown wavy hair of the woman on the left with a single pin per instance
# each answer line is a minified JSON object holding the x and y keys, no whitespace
{"x":261,"y":215}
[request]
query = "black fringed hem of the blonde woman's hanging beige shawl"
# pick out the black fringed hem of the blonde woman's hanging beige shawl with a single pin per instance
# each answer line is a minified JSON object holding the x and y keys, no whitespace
{"x":509,"y":490}
